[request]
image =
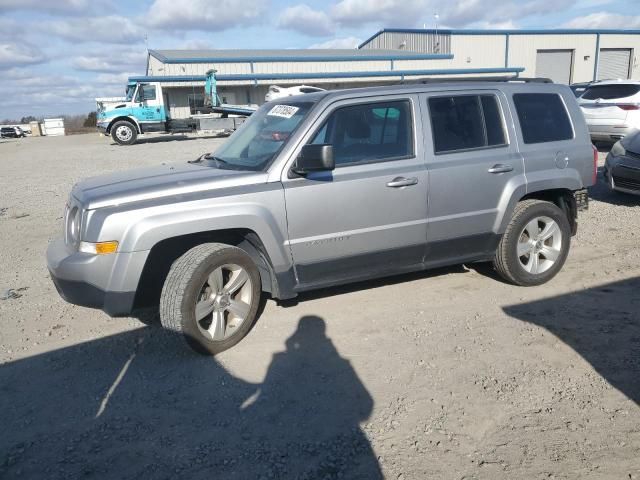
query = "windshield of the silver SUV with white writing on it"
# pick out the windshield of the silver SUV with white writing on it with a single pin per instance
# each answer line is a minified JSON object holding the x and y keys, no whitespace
{"x":258,"y":141}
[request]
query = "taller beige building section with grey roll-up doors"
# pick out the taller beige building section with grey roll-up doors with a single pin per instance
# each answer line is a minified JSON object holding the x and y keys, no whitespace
{"x":564,"y":55}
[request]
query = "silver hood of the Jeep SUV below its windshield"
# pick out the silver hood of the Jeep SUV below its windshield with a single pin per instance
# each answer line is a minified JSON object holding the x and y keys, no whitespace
{"x":160,"y":181}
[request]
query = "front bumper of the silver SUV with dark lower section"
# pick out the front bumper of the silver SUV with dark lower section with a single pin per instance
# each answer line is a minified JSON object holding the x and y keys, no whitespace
{"x":92,"y":280}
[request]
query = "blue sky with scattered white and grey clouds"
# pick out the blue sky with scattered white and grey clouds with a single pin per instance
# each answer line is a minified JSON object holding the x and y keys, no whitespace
{"x":56,"y":56}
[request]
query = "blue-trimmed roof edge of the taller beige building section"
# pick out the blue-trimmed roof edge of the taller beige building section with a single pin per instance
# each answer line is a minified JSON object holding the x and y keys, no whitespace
{"x":513,"y":31}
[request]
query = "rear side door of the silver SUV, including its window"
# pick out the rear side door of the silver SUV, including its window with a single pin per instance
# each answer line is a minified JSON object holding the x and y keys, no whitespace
{"x":473,"y":167}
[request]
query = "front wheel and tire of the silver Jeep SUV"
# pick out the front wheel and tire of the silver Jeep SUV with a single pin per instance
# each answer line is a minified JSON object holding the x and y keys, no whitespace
{"x":203,"y":280}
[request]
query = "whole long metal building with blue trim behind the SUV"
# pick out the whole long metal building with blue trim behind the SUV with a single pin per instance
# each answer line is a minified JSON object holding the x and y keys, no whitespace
{"x":396,"y":55}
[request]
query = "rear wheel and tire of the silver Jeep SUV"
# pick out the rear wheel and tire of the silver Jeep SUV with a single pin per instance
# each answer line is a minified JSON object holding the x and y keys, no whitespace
{"x":543,"y":247}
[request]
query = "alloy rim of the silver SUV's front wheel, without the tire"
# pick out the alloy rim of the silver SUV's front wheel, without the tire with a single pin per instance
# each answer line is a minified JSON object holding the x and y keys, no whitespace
{"x":224,"y":302}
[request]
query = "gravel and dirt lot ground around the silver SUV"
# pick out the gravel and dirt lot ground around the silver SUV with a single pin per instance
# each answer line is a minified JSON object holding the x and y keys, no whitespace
{"x":445,"y":374}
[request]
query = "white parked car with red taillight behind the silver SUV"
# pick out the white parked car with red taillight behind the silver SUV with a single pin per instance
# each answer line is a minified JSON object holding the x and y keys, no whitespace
{"x":611,"y":108}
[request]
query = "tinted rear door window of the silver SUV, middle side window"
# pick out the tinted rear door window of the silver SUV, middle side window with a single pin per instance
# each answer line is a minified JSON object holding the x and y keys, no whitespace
{"x":465,"y":122}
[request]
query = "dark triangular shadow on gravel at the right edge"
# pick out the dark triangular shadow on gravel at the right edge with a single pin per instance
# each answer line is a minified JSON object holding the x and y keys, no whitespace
{"x":602,"y":324}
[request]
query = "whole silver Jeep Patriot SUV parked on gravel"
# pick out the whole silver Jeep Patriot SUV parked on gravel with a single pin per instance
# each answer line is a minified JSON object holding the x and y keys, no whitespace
{"x":329,"y":188}
